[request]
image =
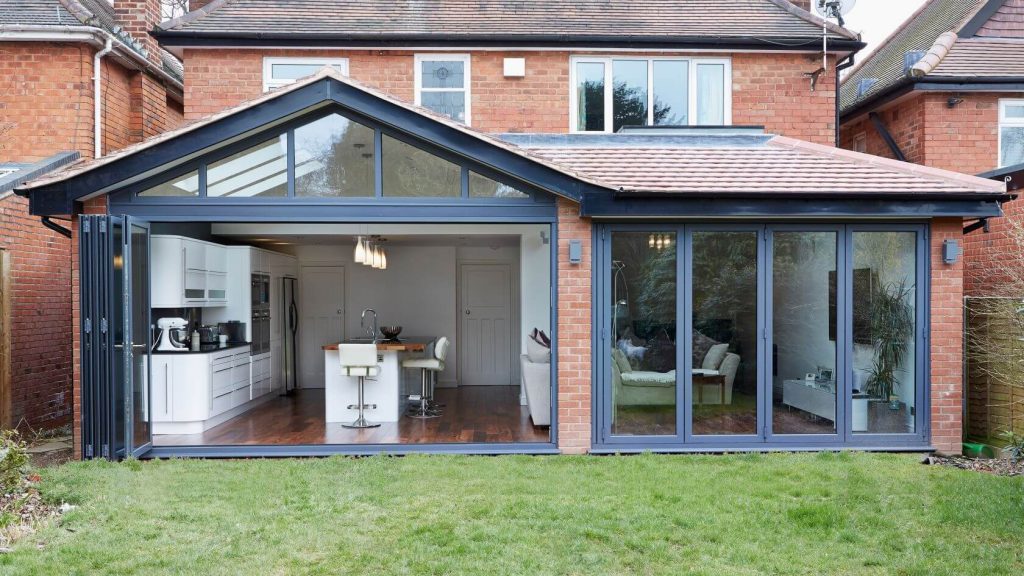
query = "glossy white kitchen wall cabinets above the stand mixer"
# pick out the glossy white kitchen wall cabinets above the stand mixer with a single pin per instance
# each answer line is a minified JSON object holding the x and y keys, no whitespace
{"x":188,"y":273}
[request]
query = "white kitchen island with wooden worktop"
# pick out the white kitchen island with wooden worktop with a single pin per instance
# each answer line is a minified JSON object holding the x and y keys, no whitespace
{"x":385,"y":391}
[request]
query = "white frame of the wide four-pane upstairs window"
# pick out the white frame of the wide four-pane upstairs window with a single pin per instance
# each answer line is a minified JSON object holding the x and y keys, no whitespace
{"x":692,"y":100}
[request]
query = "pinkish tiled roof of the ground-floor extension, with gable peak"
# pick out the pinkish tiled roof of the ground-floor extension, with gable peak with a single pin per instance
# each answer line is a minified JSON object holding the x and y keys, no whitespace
{"x":708,"y":166}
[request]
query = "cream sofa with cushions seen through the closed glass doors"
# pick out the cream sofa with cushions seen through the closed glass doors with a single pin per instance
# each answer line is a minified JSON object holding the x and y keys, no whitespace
{"x":638,"y":388}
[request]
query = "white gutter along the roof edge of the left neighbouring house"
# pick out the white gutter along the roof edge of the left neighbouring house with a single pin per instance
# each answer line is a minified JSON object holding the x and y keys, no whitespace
{"x":98,"y":38}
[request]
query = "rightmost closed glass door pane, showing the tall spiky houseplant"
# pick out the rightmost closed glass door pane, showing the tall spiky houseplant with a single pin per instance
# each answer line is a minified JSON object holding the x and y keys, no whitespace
{"x":885,"y":324}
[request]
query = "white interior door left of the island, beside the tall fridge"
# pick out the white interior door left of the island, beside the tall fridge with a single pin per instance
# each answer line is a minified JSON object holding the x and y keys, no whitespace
{"x":322,"y":314}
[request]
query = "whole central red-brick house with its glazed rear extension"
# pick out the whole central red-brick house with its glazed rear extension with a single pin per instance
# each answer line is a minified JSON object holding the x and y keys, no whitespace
{"x":602,"y":229}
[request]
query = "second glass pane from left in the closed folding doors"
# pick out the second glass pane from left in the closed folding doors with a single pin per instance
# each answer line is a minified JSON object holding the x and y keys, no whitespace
{"x":724,"y":393}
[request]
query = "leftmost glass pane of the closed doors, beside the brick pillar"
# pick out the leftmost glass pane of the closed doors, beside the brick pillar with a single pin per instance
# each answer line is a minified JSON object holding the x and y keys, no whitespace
{"x":644,"y":328}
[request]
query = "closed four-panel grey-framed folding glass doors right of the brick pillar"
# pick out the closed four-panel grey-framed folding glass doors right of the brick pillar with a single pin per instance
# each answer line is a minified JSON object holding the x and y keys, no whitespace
{"x":747,"y":335}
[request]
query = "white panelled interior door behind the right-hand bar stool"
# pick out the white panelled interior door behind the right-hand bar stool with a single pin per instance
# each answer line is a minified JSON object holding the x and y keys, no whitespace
{"x":485,"y":339}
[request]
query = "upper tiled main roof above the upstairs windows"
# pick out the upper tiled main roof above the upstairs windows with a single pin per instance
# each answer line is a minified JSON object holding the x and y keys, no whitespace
{"x":470,"y":19}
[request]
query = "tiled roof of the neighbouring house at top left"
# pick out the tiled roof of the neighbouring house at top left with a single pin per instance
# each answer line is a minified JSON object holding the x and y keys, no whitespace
{"x":74,"y":14}
